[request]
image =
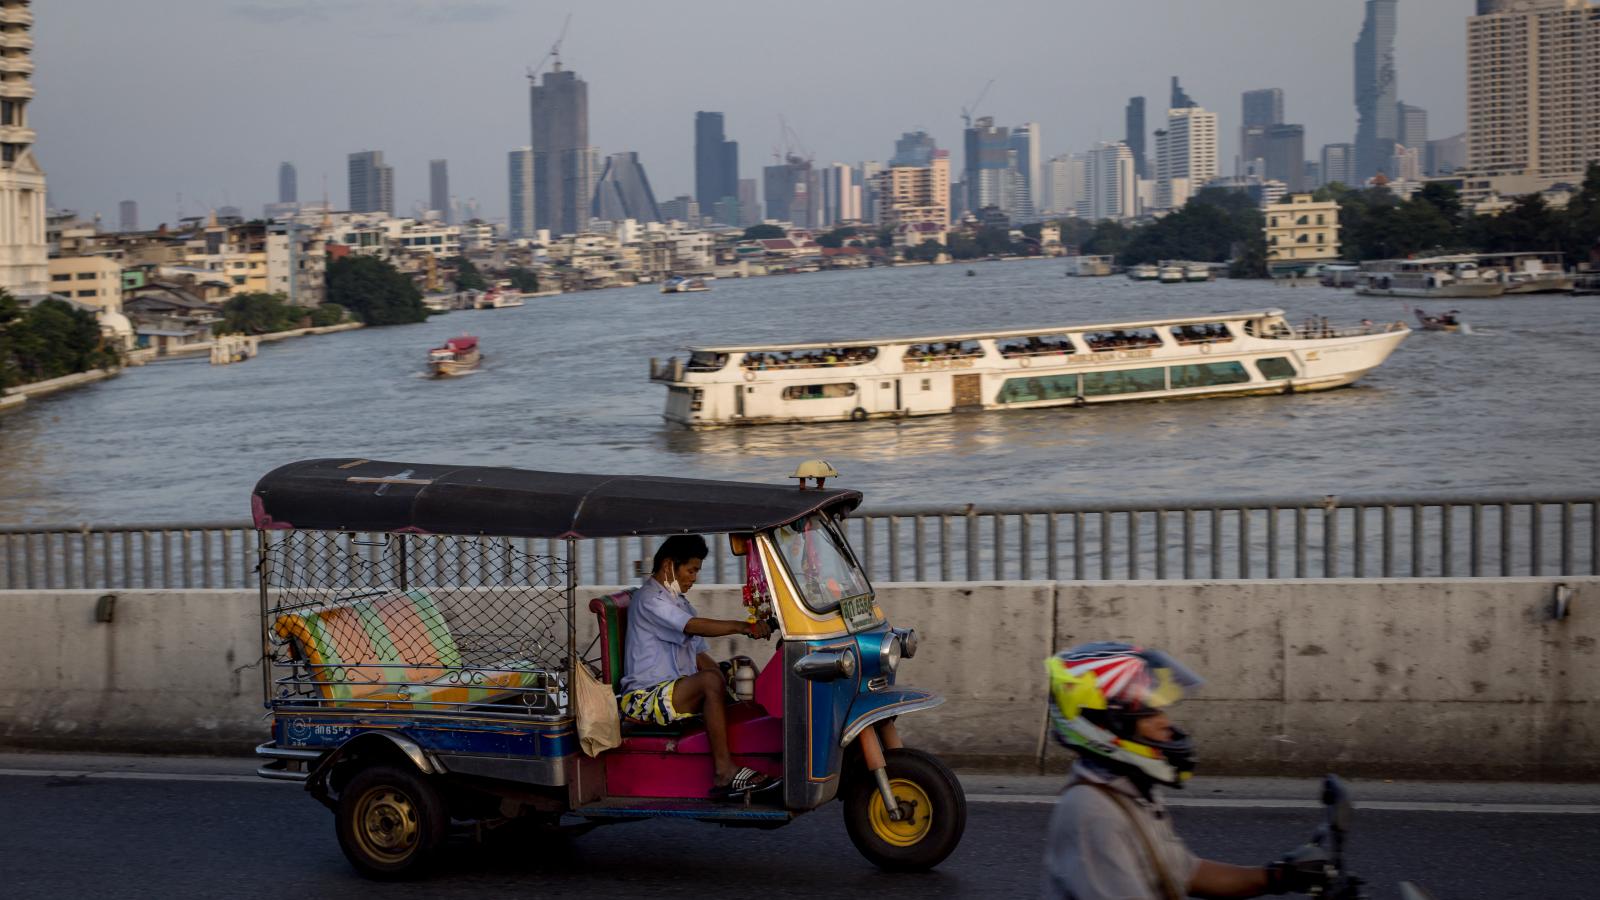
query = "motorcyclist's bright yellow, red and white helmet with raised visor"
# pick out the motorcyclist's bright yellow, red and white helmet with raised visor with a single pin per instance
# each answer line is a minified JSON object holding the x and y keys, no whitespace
{"x":1098,"y":694}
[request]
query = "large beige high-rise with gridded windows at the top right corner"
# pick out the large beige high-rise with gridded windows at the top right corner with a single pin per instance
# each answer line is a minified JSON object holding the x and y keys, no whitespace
{"x":1534,"y":94}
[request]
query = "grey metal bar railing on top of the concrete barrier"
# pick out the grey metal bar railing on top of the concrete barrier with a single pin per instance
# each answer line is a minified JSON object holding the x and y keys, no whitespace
{"x":1334,"y":537}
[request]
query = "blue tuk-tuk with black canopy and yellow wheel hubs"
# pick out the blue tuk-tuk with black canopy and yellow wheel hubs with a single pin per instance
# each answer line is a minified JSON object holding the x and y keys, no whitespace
{"x":422,"y":632}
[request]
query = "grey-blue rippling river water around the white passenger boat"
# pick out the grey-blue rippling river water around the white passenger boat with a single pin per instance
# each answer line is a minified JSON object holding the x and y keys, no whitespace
{"x":1513,"y":408}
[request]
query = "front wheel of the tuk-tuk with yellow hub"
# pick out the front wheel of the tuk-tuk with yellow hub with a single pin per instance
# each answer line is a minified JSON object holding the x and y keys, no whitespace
{"x":934,"y":813}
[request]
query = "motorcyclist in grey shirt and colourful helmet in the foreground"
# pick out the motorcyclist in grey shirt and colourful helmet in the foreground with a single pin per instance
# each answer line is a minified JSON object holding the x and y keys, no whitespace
{"x":1110,"y":834}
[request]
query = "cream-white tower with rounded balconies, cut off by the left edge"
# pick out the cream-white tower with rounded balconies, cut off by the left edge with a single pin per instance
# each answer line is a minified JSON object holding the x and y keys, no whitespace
{"x":25,"y":265}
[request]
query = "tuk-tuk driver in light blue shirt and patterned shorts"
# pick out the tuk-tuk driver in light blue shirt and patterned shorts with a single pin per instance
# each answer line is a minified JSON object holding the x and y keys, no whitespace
{"x":670,"y":673}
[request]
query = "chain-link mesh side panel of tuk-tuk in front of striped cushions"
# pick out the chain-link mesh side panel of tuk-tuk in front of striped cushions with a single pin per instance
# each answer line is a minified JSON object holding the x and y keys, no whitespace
{"x":417,"y":624}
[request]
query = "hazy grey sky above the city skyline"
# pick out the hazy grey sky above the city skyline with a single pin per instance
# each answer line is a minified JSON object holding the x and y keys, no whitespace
{"x":151,"y":100}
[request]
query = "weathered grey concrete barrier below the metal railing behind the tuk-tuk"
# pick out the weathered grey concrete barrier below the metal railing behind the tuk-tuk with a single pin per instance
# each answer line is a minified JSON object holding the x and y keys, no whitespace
{"x":1458,"y":678}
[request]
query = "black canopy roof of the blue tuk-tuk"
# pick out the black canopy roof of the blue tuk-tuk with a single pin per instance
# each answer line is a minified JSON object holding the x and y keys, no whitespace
{"x":372,"y":496}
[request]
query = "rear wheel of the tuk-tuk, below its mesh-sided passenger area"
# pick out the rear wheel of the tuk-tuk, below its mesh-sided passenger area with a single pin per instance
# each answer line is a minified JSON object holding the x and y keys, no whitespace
{"x":390,"y":822}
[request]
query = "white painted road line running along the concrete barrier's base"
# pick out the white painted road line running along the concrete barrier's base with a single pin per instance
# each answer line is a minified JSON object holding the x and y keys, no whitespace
{"x":1022,"y":800}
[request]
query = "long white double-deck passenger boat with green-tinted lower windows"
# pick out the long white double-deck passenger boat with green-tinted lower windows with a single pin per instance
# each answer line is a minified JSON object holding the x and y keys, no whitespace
{"x":1206,"y":356}
